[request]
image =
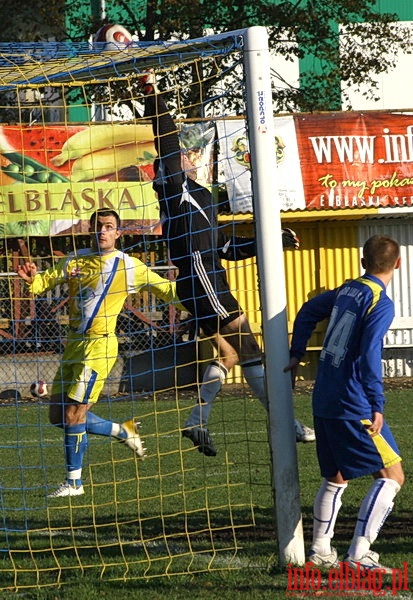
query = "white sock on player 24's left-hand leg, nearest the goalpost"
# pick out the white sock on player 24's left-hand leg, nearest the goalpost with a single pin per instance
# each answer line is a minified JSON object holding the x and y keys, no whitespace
{"x":327,"y":503}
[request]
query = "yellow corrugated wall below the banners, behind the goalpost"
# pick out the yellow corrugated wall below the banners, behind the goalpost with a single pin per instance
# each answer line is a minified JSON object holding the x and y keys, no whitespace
{"x":328,"y":255}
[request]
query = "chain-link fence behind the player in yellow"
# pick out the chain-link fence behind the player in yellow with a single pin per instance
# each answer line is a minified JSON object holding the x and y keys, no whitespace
{"x":36,"y":327}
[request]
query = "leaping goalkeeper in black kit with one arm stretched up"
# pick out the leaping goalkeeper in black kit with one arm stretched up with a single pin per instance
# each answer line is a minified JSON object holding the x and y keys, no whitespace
{"x":196,"y":247}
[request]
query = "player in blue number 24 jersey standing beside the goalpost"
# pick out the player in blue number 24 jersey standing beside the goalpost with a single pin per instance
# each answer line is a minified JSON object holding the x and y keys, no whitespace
{"x":352,"y":436}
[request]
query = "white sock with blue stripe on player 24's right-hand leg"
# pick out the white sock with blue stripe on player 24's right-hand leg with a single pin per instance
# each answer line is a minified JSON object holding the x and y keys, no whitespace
{"x":374,"y":510}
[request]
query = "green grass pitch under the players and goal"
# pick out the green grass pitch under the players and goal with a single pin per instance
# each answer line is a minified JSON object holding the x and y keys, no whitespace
{"x":176,"y":524}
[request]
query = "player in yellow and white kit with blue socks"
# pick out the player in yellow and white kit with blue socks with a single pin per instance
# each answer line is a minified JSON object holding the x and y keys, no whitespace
{"x":99,"y":281}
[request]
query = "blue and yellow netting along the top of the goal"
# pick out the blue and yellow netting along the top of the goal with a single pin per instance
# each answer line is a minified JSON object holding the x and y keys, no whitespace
{"x":40,"y":63}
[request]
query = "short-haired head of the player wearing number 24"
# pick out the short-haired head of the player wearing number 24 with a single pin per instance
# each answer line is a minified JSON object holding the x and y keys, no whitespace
{"x":381,"y":254}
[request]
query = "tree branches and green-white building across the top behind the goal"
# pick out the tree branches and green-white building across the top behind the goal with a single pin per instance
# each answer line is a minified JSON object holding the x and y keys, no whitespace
{"x":344,"y":42}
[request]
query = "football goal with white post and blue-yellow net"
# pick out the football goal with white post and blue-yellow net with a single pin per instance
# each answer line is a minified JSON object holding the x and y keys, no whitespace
{"x":74,"y":138}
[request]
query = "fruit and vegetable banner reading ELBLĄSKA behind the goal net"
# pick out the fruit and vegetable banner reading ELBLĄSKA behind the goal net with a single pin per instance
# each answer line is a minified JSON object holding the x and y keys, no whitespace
{"x":53,"y":177}
